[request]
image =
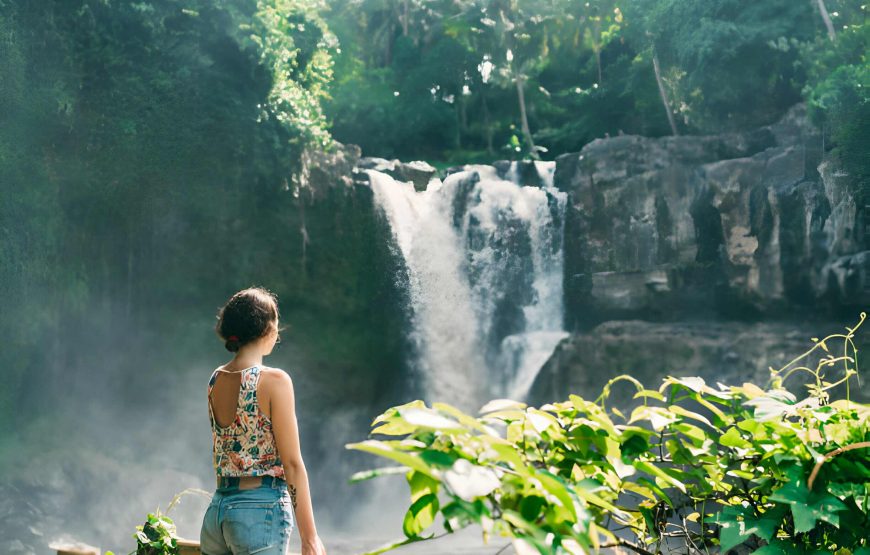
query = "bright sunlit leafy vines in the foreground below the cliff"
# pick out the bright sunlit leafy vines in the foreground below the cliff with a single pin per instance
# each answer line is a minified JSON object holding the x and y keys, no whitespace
{"x":722,"y":466}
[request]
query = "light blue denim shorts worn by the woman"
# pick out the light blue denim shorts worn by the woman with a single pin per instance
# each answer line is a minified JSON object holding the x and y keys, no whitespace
{"x":248,"y":521}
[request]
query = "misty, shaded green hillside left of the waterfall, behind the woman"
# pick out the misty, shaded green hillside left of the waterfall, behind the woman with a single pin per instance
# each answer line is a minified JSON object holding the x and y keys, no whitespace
{"x":149,"y":153}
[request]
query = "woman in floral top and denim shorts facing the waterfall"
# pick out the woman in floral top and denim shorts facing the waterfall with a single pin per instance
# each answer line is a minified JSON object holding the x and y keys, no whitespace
{"x":257,"y":459}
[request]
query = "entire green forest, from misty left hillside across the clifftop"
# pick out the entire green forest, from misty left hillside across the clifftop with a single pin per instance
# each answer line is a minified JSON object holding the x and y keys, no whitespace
{"x":152,"y":157}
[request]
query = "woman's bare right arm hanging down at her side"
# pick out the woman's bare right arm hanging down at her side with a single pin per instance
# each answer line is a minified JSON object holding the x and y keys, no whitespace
{"x":286,"y":433}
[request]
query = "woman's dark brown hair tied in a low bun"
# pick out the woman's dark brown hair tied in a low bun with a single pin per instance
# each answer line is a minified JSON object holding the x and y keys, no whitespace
{"x":247,"y":316}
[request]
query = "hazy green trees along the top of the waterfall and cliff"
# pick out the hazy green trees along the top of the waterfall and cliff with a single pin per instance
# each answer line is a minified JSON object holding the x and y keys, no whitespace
{"x":586,"y":70}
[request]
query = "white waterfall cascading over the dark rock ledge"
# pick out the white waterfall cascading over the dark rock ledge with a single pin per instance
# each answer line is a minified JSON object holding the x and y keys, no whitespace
{"x":483,"y":256}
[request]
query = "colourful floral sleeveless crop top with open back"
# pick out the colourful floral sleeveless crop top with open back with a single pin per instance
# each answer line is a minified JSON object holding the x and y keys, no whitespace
{"x":246,"y":447}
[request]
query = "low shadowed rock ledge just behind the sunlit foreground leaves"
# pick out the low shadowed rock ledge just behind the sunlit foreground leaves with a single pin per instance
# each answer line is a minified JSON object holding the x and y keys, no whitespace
{"x":727,"y":352}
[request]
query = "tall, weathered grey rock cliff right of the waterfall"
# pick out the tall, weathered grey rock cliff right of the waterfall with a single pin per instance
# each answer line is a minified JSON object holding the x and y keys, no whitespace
{"x":741,"y":225}
